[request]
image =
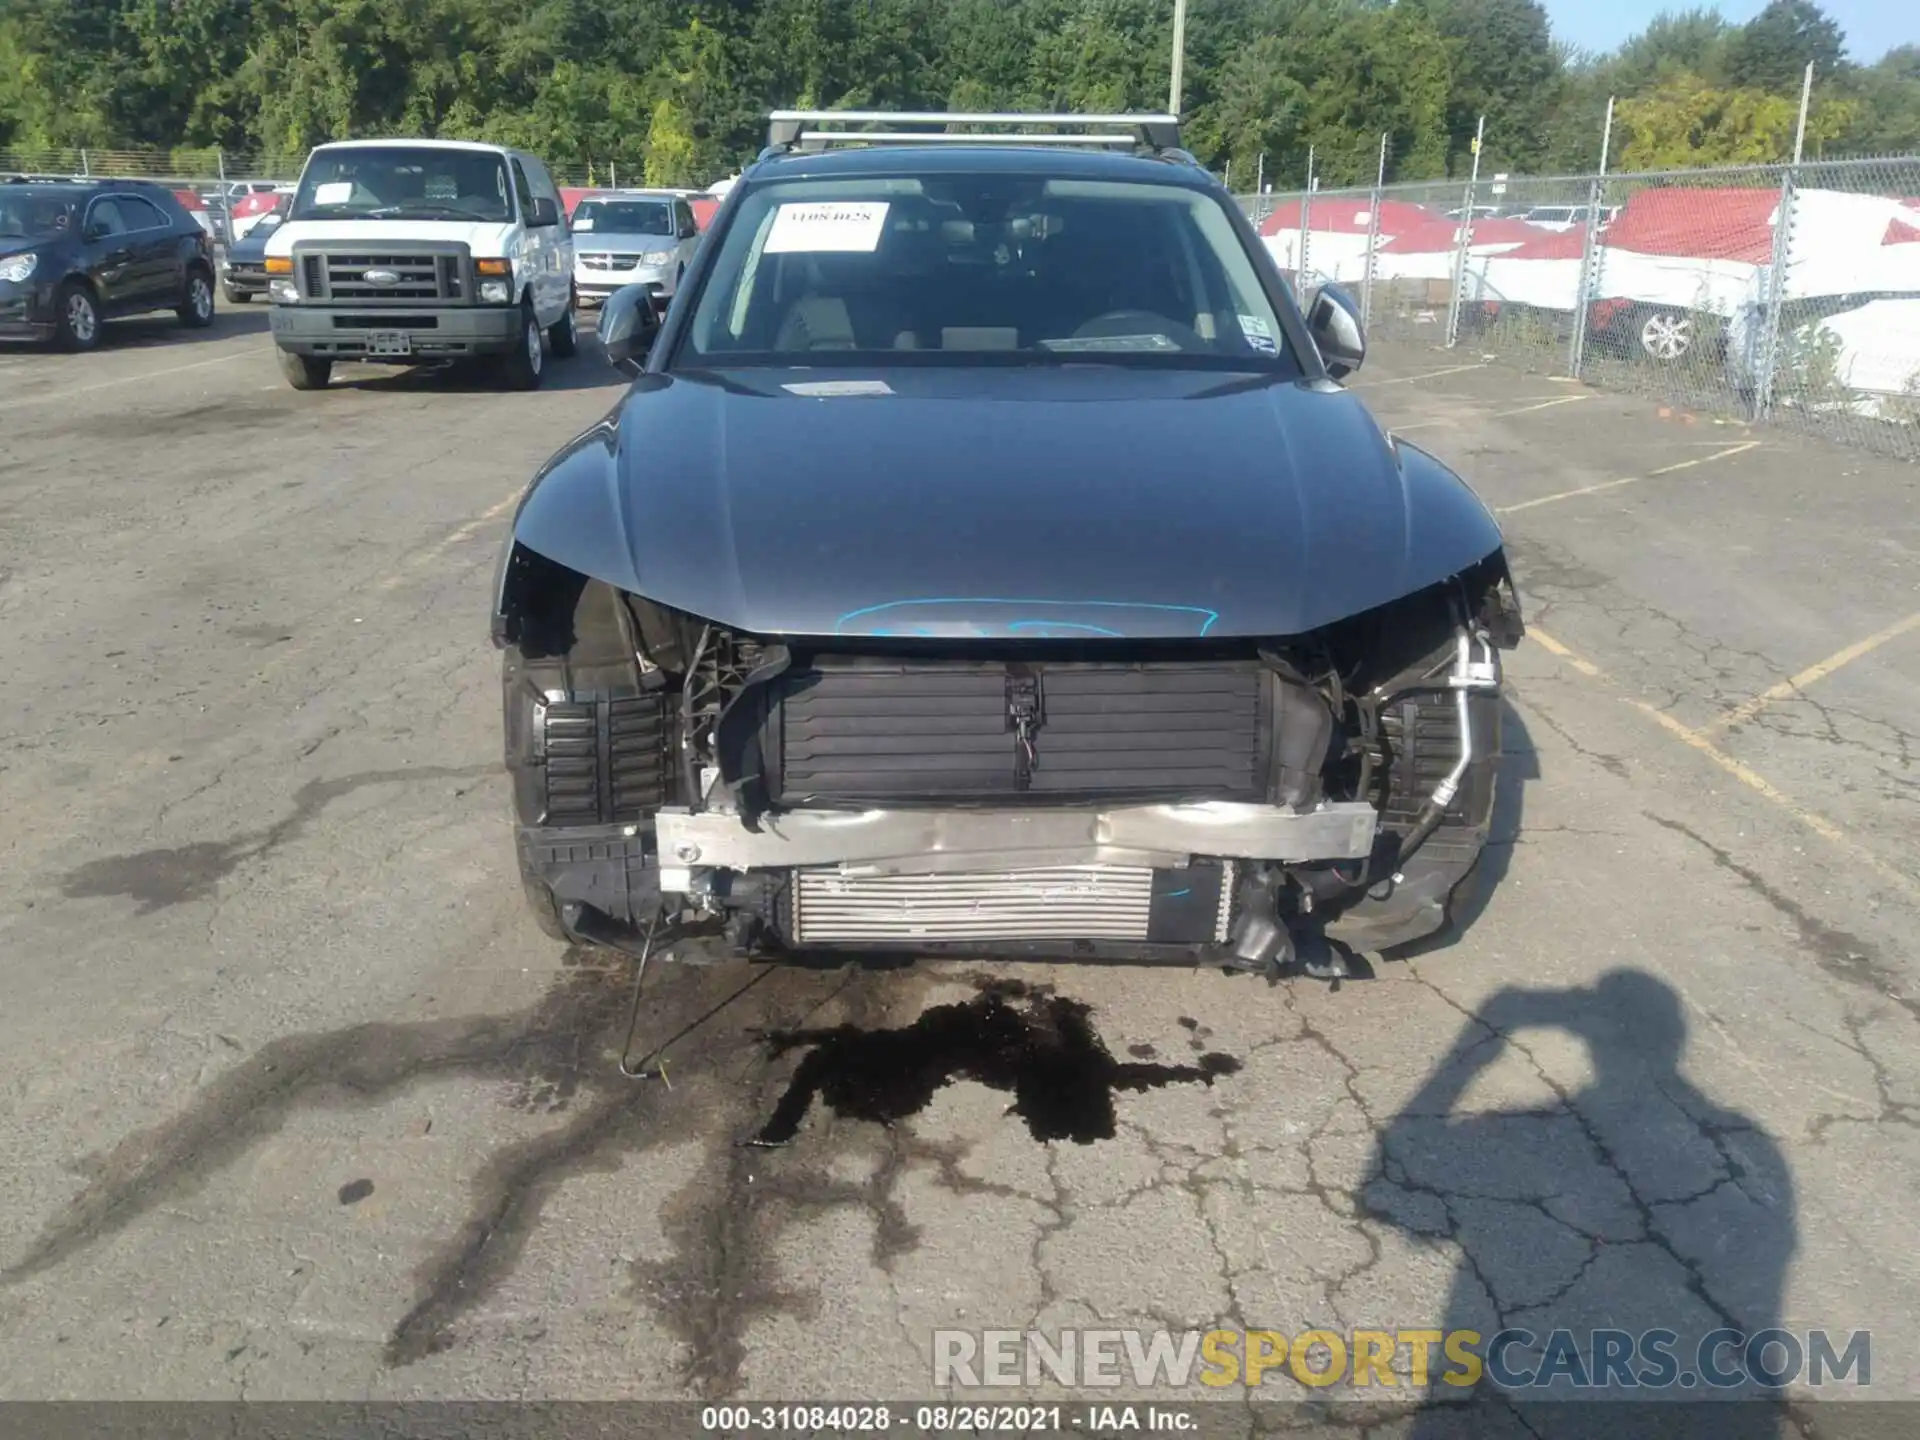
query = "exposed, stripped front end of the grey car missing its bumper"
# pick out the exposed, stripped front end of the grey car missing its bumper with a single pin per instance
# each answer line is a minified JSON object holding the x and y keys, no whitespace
{"x":1038,"y":786}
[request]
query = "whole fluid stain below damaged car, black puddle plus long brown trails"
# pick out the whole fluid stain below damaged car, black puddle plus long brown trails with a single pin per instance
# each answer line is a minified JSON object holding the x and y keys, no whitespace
{"x":558,"y":1059}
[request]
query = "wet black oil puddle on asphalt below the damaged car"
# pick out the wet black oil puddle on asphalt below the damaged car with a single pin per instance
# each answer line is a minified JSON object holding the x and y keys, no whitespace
{"x":1013,"y":1038}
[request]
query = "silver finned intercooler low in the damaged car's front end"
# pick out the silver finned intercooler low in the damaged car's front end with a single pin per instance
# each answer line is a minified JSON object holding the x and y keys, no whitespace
{"x":1061,"y":903}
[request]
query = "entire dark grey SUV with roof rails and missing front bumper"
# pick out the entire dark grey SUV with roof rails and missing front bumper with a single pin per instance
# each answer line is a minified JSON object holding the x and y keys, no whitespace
{"x":988,"y":560}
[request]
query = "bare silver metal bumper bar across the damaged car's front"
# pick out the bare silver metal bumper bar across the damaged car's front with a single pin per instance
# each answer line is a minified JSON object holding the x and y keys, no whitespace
{"x":930,"y":842}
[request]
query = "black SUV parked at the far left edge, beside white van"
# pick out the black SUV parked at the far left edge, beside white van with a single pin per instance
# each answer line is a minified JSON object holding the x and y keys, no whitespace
{"x":78,"y":252}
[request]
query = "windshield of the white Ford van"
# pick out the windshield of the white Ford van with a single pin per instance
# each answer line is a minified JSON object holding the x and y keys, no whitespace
{"x":406,"y":185}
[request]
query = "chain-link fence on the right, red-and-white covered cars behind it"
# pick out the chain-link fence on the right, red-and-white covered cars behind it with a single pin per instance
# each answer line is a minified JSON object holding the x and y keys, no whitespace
{"x":1779,"y":293}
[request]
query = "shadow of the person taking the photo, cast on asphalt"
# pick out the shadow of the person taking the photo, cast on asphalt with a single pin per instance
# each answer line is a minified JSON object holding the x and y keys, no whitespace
{"x":1631,"y":1203}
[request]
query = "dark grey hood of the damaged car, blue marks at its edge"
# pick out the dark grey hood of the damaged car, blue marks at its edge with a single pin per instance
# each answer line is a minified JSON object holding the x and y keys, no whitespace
{"x":1003,"y":502}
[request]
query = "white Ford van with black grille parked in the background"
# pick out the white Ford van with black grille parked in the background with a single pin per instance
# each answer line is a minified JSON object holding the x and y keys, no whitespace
{"x":418,"y":252}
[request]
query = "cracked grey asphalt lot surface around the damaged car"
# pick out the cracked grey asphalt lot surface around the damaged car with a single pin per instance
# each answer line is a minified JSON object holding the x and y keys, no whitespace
{"x":300,"y":1105}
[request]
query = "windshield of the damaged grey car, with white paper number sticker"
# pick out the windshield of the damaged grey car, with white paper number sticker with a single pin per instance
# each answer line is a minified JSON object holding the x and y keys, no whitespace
{"x":984,"y":270}
